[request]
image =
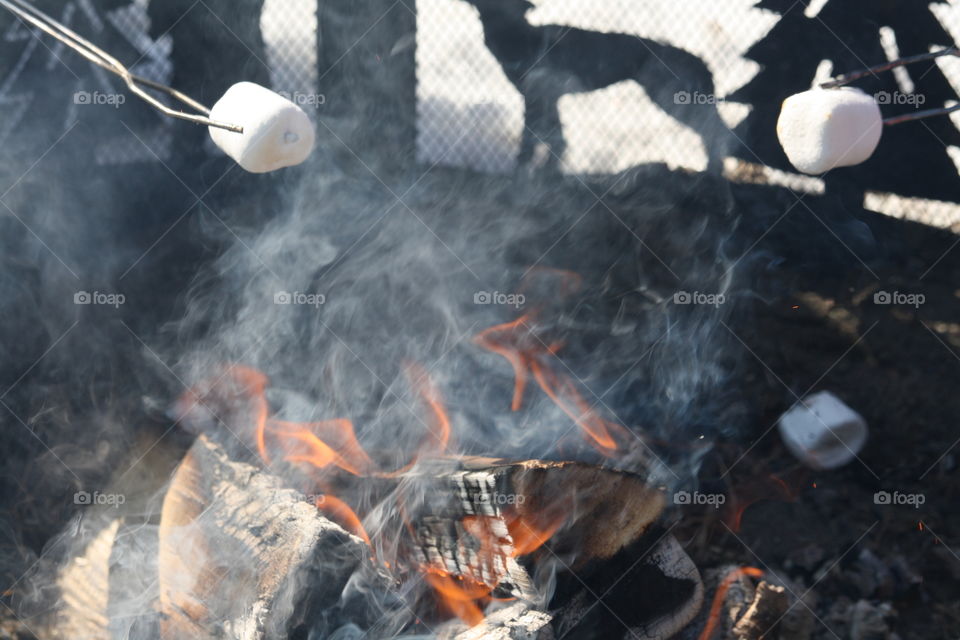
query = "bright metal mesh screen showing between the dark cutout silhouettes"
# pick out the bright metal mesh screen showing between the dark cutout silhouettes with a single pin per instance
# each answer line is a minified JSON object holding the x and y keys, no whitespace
{"x":469,"y":112}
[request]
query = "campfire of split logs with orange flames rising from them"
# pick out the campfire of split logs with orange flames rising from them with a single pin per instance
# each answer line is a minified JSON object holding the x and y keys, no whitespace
{"x":462,"y":542}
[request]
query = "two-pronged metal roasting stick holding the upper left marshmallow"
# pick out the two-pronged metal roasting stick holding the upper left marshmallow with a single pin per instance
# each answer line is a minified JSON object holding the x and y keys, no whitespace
{"x":30,"y":14}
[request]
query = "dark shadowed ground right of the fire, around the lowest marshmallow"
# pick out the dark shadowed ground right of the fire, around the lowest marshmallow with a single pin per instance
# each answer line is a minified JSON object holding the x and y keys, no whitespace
{"x":897,"y":365}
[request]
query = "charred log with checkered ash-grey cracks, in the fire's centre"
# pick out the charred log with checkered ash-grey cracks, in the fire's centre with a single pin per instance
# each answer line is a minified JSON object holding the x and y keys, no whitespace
{"x":491,"y":512}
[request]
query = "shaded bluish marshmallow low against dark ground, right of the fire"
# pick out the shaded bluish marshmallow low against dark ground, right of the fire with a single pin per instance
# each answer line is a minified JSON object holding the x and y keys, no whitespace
{"x":822,"y":431}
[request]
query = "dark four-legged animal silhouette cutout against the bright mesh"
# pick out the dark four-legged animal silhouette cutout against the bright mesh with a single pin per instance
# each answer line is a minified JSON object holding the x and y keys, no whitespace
{"x":546,"y":62}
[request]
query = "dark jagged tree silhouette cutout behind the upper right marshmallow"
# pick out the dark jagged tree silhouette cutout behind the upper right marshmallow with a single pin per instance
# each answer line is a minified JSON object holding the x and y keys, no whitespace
{"x":847,"y":33}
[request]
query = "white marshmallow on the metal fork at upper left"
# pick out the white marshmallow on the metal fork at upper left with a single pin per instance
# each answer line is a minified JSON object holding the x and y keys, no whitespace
{"x":276,"y":132}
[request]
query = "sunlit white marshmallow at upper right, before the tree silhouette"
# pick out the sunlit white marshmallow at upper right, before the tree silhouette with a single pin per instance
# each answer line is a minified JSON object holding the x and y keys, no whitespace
{"x":822,"y":129}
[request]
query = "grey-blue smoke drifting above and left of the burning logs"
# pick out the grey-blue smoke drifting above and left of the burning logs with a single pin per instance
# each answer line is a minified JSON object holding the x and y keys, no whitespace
{"x":333,"y":279}
